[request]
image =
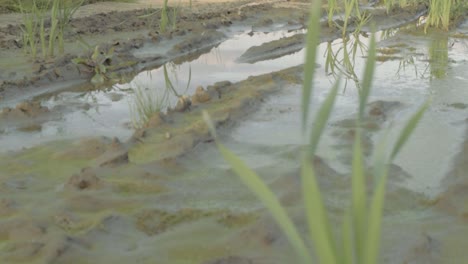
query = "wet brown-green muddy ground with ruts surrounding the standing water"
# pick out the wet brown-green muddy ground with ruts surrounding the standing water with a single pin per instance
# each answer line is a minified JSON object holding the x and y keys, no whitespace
{"x":164,"y":194}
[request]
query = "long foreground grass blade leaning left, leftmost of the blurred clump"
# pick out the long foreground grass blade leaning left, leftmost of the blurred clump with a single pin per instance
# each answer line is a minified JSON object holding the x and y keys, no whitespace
{"x":261,"y":190}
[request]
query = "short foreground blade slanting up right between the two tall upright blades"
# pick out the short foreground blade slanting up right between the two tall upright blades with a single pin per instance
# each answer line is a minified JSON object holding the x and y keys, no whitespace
{"x":322,"y":118}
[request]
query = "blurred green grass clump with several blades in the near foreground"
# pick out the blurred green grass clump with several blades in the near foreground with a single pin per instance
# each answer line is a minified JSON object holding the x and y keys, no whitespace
{"x":360,"y":231}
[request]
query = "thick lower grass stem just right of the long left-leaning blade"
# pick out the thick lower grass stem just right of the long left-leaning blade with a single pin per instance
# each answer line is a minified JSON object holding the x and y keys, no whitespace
{"x":316,"y":214}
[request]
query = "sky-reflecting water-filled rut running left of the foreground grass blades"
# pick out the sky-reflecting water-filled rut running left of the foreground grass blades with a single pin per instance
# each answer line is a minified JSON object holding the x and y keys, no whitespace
{"x":107,"y":111}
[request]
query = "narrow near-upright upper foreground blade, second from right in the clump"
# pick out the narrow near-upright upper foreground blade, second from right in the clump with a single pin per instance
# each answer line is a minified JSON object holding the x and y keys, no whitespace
{"x":368,"y":76}
